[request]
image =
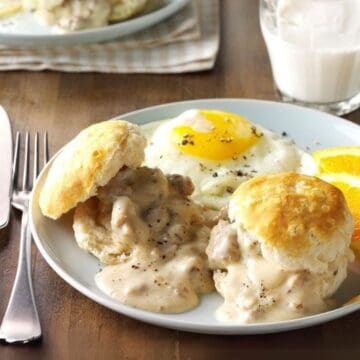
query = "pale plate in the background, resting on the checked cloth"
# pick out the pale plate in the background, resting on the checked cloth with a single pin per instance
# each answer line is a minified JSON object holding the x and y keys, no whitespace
{"x":23,"y":29}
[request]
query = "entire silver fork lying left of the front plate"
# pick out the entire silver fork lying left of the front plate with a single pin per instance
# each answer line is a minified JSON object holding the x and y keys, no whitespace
{"x":21,"y":320}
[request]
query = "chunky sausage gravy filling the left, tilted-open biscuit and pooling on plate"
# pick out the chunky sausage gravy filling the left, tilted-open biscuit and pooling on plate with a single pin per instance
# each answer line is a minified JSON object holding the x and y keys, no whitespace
{"x":164,"y":267}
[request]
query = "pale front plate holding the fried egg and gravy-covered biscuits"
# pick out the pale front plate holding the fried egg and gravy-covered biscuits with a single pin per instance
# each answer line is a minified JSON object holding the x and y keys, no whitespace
{"x":310,"y":128}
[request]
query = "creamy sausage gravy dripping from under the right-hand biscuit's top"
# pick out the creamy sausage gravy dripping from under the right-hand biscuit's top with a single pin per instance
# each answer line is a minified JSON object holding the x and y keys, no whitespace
{"x":256,"y":289}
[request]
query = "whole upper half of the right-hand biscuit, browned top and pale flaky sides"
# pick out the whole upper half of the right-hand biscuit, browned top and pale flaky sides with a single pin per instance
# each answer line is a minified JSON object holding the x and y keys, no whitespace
{"x":301,"y":221}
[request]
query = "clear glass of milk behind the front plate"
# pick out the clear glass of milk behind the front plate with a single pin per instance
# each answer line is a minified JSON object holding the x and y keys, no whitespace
{"x":314,"y":50}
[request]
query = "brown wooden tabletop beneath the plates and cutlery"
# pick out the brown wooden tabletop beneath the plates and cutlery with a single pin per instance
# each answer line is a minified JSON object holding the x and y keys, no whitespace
{"x":75,"y":327}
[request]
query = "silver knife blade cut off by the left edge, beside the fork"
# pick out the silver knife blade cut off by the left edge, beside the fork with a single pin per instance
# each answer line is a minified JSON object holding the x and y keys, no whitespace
{"x":5,"y":167}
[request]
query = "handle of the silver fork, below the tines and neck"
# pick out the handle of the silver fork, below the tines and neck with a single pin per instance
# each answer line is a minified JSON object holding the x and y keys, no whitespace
{"x":21,"y":320}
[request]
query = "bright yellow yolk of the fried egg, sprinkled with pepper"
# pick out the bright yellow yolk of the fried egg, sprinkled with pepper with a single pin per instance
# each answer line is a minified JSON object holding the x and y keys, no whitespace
{"x":228,"y":136}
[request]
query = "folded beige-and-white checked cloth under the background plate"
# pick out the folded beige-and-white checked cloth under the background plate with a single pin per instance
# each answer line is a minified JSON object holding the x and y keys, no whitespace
{"x":188,"y":41}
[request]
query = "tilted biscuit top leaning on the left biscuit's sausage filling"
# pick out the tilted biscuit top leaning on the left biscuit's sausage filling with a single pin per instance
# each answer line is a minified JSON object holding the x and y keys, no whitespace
{"x":90,"y":160}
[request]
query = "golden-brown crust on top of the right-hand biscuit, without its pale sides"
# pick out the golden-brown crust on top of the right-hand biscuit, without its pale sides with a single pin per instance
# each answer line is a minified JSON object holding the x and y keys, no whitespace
{"x":289,"y":211}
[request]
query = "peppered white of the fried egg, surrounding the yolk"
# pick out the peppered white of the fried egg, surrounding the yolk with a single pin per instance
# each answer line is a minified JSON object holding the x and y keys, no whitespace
{"x":215,"y":180}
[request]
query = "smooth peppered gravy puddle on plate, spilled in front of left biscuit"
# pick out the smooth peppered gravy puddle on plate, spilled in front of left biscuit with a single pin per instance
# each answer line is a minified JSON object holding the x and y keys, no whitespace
{"x":169,"y":286}
